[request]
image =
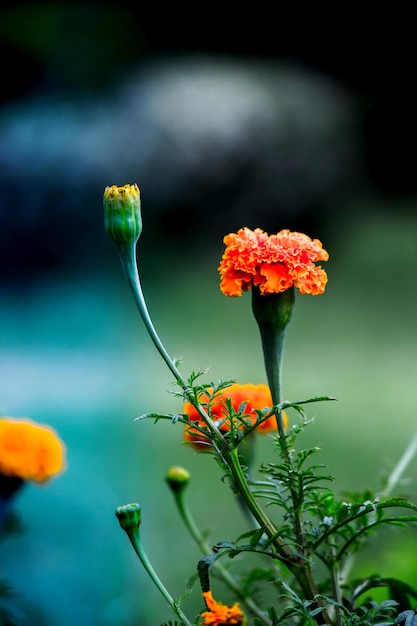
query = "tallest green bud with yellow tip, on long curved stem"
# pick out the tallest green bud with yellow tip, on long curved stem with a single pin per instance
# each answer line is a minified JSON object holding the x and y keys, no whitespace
{"x":122,"y":215}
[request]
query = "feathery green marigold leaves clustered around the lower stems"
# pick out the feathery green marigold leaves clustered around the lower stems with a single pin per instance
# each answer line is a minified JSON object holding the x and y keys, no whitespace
{"x":319,"y":529}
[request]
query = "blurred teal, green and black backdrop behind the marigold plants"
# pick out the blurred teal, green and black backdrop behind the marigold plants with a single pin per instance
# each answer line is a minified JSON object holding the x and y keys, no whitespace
{"x":220,"y":130}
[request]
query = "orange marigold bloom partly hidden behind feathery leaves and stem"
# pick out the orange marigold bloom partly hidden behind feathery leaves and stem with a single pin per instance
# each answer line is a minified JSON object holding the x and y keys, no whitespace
{"x":255,"y":397}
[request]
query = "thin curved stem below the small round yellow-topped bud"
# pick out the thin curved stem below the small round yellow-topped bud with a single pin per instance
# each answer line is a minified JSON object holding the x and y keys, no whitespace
{"x":205,"y":549}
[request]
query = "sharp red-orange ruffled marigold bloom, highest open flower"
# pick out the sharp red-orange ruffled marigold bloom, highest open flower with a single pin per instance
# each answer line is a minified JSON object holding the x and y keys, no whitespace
{"x":273,"y":263}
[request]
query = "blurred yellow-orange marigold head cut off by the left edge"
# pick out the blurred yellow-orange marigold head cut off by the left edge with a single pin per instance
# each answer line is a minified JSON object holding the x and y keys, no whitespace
{"x":30,"y":451}
